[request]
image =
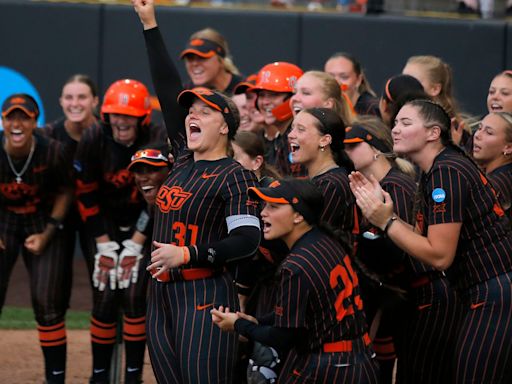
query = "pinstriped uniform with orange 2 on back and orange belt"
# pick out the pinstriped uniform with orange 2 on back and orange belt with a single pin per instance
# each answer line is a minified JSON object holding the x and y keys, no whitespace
{"x":318,"y":296}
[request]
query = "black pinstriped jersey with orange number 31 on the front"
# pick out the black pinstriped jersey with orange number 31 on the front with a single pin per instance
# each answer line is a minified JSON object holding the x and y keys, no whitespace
{"x":193,"y":203}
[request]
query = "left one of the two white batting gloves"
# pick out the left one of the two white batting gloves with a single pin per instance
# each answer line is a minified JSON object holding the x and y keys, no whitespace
{"x":105,"y":263}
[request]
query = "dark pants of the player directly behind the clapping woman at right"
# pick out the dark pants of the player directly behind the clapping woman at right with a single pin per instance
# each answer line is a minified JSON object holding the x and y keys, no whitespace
{"x":426,"y":347}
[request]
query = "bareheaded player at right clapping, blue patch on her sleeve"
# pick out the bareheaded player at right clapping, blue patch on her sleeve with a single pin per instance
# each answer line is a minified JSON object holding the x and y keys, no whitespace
{"x":463,"y":232}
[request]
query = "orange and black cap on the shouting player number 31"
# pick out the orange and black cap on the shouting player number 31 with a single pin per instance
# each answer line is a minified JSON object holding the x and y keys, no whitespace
{"x":214,"y":100}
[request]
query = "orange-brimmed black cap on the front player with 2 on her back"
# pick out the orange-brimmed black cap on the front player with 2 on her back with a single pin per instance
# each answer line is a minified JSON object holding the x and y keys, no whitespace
{"x":283,"y":192}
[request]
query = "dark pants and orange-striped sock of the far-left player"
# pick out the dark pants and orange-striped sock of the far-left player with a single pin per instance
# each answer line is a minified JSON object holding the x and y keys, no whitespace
{"x":49,"y":280}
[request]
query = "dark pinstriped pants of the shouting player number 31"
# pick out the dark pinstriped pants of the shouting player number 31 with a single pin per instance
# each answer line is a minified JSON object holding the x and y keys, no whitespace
{"x":184,"y":344}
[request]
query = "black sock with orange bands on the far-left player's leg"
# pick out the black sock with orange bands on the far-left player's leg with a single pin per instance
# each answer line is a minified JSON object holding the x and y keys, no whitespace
{"x":53,"y":343}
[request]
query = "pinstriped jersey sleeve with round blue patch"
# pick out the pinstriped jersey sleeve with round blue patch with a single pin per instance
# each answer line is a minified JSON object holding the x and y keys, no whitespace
{"x":446,"y":195}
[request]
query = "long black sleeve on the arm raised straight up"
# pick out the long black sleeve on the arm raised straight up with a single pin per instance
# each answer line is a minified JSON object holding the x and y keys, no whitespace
{"x":167,"y":83}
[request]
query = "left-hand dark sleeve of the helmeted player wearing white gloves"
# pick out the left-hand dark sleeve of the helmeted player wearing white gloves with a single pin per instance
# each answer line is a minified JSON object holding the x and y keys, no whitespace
{"x":88,"y":177}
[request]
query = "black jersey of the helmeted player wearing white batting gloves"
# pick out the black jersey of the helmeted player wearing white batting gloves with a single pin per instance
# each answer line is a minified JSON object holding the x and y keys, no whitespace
{"x":104,"y":186}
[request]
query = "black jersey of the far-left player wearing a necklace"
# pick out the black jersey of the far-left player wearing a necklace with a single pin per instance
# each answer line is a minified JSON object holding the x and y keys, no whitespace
{"x":45,"y":176}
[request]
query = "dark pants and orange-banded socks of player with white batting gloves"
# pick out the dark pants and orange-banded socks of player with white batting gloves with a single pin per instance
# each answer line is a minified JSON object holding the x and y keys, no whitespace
{"x":107,"y":306}
